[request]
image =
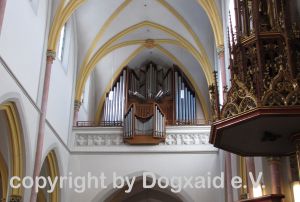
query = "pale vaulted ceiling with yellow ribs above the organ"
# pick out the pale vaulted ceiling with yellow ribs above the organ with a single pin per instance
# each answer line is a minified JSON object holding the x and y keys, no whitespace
{"x":114,"y":33}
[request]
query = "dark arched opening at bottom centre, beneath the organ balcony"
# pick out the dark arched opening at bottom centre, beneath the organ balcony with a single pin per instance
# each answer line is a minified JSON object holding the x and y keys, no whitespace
{"x":140,"y":194}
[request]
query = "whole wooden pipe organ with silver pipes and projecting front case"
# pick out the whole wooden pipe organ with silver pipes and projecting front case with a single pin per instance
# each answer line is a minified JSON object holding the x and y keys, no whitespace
{"x":148,"y":98}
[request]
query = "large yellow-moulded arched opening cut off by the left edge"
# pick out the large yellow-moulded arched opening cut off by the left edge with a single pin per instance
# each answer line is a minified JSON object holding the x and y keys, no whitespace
{"x":11,"y":151}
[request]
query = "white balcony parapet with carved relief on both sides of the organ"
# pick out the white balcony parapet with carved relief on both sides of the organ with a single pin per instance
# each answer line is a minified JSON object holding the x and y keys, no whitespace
{"x":110,"y":139}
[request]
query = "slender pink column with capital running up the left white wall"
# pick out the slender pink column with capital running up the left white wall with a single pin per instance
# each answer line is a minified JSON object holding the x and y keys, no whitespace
{"x":42,"y":122}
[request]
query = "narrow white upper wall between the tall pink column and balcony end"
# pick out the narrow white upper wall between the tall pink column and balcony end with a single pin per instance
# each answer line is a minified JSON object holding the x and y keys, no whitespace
{"x":60,"y":103}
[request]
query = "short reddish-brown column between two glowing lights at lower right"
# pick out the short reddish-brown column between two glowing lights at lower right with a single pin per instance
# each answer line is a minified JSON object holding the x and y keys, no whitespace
{"x":274,"y":163}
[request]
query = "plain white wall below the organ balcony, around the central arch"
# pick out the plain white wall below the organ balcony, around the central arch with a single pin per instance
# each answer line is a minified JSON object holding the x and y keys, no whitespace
{"x":125,"y":164}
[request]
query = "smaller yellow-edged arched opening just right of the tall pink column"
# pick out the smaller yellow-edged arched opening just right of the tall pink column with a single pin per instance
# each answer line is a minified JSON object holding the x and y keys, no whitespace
{"x":49,"y":169}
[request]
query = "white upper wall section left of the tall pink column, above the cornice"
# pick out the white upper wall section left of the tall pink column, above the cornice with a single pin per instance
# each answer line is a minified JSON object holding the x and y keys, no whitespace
{"x":21,"y":42}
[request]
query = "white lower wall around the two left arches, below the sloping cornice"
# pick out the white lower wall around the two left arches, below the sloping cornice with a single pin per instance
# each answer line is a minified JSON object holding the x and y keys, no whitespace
{"x":29,"y":115}
